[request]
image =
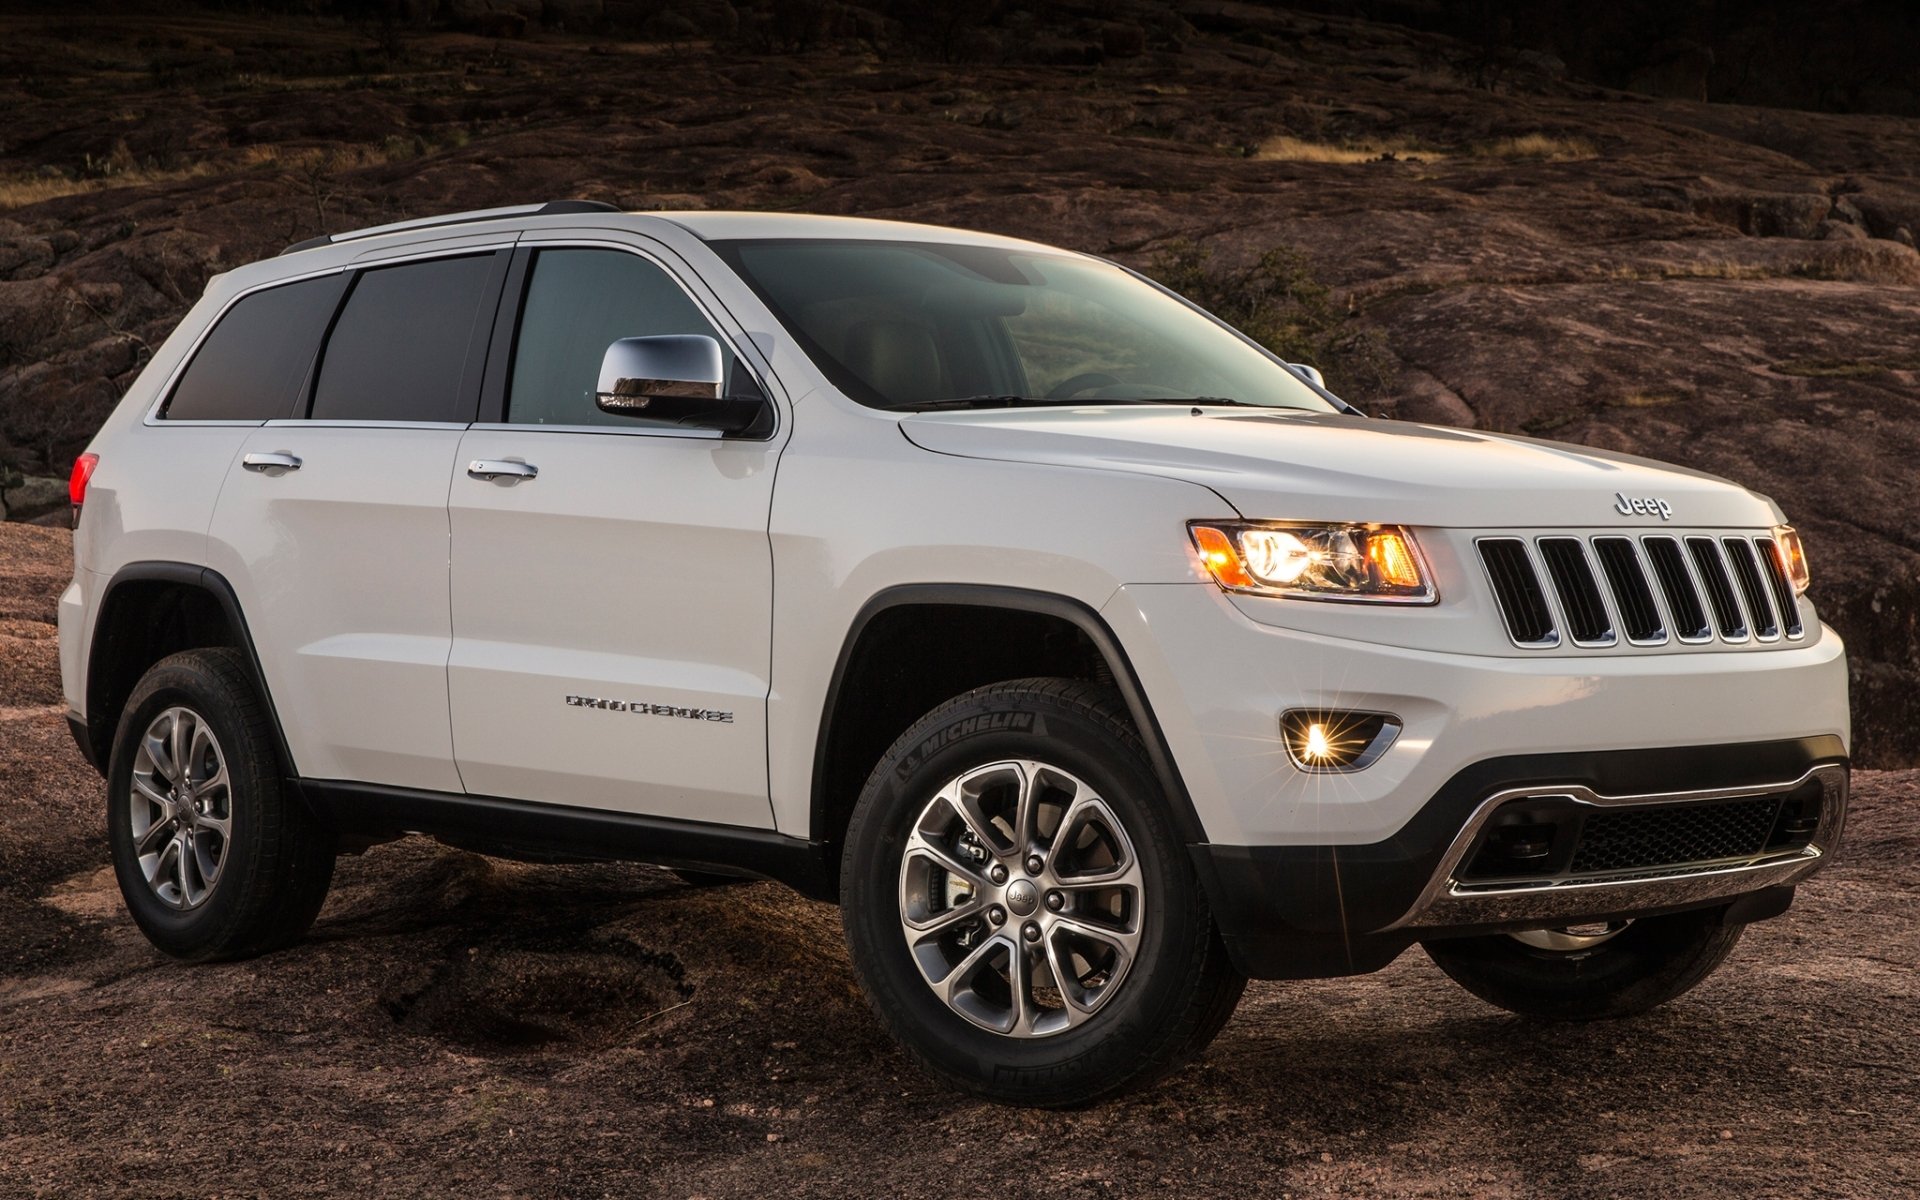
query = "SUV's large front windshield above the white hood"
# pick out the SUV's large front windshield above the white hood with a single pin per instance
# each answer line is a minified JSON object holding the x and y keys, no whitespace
{"x":911,"y":325}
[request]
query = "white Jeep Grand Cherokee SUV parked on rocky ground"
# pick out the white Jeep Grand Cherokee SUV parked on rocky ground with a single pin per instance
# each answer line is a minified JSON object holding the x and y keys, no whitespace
{"x":1086,"y":654}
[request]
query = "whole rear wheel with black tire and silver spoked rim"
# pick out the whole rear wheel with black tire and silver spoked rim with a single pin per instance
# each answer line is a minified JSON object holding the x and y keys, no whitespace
{"x":212,"y":853}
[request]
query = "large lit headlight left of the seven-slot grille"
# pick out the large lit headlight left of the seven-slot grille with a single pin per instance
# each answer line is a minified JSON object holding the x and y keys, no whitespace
{"x":1316,"y":562}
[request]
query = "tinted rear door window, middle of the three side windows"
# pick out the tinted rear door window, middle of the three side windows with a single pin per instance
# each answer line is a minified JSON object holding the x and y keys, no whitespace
{"x":400,"y":347}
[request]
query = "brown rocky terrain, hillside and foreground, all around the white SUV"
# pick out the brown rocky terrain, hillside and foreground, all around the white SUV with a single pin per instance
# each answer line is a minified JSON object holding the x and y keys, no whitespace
{"x":1729,"y":289}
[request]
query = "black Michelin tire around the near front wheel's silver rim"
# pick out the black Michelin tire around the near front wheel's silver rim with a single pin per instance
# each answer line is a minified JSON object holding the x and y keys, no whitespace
{"x":1180,"y":988}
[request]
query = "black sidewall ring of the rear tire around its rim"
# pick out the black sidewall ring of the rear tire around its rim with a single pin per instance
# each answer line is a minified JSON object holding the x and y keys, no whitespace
{"x":183,"y":683}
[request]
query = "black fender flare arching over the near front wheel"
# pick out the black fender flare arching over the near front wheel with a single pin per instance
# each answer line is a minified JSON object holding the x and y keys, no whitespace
{"x":1020,"y":600}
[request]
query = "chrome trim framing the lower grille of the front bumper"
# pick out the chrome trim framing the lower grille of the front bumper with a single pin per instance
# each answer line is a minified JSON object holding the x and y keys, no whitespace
{"x":1445,"y":901}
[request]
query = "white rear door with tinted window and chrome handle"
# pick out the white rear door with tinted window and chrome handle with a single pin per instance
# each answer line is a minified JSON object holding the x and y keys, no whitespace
{"x":333,"y":523}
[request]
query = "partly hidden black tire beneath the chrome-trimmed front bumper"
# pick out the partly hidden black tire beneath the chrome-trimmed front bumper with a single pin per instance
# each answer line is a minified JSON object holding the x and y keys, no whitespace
{"x":1648,"y":963}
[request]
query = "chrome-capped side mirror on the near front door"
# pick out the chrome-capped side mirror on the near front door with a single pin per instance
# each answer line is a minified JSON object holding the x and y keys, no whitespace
{"x":679,"y":379}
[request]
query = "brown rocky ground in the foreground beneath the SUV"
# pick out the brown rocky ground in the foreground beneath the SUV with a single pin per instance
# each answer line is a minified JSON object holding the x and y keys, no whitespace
{"x":475,"y":1028}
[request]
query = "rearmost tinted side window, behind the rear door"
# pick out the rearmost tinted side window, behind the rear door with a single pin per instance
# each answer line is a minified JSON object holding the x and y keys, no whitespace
{"x":252,"y":364}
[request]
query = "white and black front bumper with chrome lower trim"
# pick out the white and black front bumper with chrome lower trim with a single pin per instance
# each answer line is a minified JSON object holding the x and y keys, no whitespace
{"x":1324,"y":875}
